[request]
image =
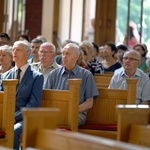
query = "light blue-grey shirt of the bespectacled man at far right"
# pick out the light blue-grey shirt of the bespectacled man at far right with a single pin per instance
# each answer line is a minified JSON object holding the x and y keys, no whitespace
{"x":118,"y":81}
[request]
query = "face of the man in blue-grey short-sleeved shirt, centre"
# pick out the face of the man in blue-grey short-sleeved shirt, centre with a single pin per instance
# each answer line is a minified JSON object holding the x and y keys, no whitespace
{"x":69,"y":57}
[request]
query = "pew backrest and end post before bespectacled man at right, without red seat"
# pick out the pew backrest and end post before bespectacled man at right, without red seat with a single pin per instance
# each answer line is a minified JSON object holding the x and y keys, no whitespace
{"x":104,"y":107}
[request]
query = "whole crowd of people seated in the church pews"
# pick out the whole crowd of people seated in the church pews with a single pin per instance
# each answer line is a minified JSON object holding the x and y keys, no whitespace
{"x":37,"y":66}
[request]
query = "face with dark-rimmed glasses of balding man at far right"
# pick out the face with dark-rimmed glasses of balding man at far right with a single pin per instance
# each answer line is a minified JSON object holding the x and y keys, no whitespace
{"x":130,"y":61}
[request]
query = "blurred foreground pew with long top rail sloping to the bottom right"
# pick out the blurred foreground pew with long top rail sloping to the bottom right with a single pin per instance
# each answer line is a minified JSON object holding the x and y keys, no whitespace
{"x":39,"y":136}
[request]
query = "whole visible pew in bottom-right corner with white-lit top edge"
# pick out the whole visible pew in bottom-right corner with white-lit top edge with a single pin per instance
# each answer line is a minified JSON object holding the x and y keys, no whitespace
{"x":133,"y":123}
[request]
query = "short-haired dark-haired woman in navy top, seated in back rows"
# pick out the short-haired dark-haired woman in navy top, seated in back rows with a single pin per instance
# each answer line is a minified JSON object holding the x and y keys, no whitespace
{"x":110,"y":63}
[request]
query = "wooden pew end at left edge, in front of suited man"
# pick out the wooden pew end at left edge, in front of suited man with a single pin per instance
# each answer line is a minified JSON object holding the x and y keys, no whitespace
{"x":7,"y":110}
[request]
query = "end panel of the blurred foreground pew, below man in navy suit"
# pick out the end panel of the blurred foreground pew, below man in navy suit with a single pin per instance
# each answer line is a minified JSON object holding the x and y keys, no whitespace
{"x":36,"y":119}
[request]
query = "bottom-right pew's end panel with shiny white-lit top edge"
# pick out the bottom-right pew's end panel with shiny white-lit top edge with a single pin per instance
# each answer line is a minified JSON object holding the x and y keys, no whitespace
{"x":131,"y":115}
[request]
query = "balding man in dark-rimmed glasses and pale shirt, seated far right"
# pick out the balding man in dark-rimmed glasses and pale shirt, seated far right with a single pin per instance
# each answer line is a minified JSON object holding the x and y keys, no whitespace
{"x":131,"y":60}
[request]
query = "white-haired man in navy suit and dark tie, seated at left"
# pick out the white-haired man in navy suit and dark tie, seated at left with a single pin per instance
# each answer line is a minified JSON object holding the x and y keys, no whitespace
{"x":29,"y":88}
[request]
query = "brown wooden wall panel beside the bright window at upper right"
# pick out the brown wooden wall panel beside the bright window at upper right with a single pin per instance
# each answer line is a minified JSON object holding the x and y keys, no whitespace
{"x":105,"y":21}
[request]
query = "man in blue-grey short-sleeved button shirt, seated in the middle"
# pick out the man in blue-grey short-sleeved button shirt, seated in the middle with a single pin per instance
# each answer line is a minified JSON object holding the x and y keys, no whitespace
{"x":57,"y":79}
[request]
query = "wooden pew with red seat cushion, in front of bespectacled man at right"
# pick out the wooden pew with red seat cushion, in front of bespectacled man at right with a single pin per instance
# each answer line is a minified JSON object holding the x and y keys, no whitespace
{"x":102,"y":117}
